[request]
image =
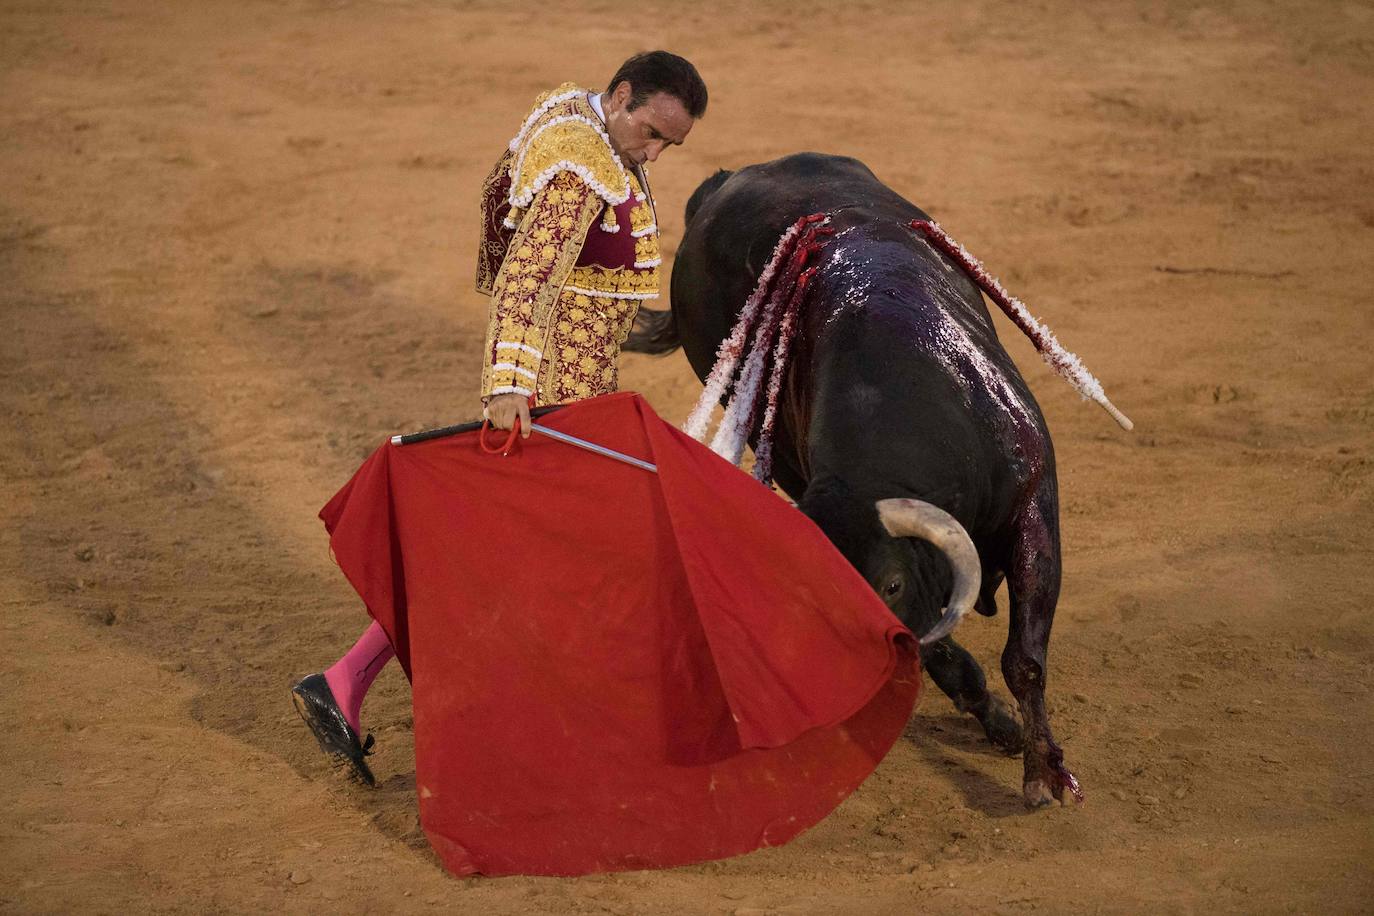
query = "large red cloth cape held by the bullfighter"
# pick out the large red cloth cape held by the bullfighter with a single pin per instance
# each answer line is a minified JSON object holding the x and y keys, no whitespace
{"x":612,"y":668}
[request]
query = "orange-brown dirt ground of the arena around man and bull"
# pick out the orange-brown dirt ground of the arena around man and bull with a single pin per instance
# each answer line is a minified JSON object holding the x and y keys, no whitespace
{"x":237,"y":247}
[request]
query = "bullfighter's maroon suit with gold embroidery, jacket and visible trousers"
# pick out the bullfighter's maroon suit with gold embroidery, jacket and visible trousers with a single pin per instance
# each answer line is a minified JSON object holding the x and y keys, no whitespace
{"x":570,"y":252}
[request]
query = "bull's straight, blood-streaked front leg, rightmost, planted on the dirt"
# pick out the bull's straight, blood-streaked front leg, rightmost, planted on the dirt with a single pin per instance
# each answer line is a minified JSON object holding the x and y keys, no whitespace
{"x":1034,"y":590}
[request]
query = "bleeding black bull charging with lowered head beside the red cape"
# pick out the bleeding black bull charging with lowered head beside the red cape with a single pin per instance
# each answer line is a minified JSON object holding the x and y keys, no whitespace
{"x":898,"y":387}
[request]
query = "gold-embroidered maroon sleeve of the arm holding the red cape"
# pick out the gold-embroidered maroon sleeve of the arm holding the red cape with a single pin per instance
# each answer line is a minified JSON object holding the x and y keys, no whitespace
{"x":541,"y":256}
